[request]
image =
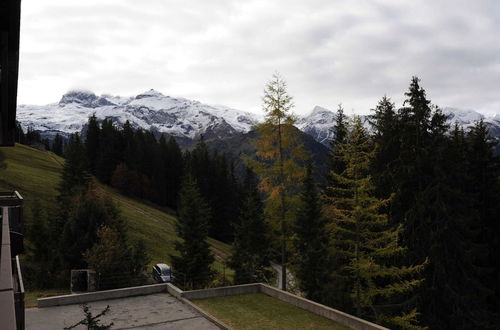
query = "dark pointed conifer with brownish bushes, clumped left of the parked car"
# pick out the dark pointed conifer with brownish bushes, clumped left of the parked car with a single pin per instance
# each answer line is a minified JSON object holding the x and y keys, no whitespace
{"x":84,"y":230}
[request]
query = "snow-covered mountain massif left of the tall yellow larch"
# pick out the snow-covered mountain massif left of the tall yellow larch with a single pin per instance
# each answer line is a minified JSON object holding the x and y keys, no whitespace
{"x":151,"y":110}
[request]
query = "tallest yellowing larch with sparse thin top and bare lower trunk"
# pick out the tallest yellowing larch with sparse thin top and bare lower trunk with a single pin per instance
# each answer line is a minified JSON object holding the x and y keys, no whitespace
{"x":279,"y":153}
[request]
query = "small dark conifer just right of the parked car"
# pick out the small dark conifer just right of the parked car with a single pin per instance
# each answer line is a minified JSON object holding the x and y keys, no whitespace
{"x":192,"y":265}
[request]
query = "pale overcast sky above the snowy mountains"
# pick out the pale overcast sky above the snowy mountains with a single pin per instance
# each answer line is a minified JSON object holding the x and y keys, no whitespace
{"x":223,"y":51}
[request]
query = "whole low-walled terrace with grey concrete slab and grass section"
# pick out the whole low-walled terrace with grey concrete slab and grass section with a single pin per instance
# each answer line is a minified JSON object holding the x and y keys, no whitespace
{"x":151,"y":307}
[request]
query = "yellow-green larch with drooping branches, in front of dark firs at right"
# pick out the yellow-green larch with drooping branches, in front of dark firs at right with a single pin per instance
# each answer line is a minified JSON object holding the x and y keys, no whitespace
{"x":364,"y":243}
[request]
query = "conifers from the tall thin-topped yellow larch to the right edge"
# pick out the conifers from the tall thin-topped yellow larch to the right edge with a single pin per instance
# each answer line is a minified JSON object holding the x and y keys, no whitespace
{"x":405,"y":230}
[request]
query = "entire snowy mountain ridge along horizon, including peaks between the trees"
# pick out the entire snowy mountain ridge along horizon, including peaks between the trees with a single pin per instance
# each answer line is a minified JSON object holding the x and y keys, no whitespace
{"x":185,"y":119}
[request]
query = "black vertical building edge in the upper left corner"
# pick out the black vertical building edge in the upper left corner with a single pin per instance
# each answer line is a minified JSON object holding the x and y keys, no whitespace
{"x":10,"y":17}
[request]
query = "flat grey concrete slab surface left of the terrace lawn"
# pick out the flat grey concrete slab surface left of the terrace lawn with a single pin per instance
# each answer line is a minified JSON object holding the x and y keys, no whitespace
{"x":156,"y":311}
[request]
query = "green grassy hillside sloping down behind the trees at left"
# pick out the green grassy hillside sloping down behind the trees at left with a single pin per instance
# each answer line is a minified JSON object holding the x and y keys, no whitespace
{"x":36,"y":174}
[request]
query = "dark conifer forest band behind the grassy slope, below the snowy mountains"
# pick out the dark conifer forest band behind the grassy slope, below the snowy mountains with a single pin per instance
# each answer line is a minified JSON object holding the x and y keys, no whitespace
{"x":140,"y":165}
